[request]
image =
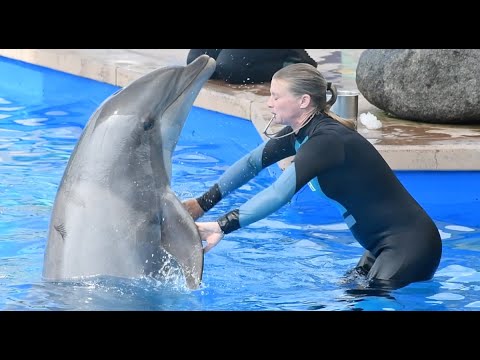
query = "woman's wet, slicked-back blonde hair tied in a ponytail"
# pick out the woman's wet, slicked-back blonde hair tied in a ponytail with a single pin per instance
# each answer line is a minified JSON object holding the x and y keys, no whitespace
{"x":303,"y":79}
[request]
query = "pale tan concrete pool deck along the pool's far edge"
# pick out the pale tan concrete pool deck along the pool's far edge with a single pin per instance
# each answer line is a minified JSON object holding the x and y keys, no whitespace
{"x":405,"y":145}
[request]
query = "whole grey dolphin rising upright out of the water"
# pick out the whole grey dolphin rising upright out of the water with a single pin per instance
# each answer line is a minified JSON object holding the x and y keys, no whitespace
{"x":115,"y":213}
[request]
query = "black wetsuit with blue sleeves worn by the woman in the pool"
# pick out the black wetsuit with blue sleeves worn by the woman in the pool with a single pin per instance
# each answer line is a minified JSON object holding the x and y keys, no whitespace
{"x":402,"y":243}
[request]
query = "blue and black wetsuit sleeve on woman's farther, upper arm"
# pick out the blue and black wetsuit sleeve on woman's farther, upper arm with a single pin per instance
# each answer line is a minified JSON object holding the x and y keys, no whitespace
{"x":245,"y":169}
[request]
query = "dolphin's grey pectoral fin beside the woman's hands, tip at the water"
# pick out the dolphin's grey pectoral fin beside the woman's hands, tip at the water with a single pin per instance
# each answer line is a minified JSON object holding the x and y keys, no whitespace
{"x":181,"y":239}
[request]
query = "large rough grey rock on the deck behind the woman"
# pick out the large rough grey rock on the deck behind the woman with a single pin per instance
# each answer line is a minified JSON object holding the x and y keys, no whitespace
{"x":427,"y":85}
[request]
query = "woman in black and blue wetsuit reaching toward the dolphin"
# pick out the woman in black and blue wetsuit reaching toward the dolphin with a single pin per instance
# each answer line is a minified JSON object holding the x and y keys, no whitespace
{"x":402,"y":243}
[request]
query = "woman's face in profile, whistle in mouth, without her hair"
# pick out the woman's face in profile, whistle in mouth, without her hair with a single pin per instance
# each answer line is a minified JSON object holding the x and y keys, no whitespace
{"x":285,"y":107}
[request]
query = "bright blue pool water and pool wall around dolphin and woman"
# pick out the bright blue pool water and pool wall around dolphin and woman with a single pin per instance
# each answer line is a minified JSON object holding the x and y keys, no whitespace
{"x":292,"y":260}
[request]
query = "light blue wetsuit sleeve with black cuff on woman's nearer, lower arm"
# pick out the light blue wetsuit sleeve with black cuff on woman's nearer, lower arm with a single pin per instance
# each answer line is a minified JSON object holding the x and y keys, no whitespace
{"x":263,"y":204}
